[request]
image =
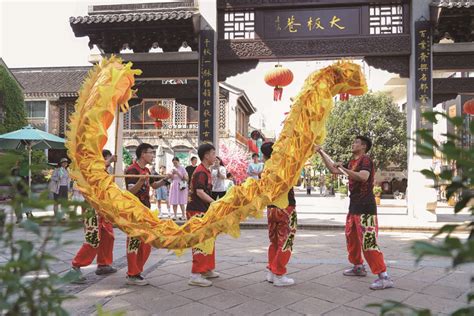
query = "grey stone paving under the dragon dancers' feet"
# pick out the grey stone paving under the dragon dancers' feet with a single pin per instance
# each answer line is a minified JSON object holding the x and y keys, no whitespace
{"x":317,"y":263}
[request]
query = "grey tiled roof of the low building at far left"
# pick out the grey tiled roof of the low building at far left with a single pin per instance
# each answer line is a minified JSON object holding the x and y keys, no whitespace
{"x":51,"y":81}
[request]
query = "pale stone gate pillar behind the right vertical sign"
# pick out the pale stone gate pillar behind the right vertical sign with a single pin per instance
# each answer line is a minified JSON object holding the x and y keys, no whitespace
{"x":420,"y":195}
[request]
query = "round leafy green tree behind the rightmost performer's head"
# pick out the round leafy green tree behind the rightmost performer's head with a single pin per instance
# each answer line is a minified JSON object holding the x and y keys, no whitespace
{"x":374,"y":115}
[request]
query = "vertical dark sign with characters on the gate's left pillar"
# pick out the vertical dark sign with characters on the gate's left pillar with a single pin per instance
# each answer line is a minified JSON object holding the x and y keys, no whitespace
{"x":206,"y":86}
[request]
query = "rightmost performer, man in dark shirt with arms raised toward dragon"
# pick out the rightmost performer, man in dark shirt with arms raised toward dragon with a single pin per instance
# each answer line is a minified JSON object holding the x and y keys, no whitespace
{"x":361,"y":223}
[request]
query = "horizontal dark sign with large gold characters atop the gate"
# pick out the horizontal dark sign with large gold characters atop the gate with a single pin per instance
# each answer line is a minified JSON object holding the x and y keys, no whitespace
{"x":312,"y":23}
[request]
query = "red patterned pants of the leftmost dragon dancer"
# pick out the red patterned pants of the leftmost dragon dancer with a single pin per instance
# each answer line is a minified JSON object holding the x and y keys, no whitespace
{"x":99,"y":241}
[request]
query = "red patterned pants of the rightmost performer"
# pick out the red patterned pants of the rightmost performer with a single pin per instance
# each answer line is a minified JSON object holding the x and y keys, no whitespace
{"x":361,"y":237}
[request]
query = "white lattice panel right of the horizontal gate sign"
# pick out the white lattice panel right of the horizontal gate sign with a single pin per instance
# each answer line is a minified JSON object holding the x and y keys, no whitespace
{"x":386,"y":19}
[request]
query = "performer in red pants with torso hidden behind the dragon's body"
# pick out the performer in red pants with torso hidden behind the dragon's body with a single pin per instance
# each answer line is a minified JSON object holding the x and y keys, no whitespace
{"x":282,"y":224}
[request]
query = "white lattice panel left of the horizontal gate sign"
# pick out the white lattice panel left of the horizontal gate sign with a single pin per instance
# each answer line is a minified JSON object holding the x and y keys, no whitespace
{"x":239,"y":25}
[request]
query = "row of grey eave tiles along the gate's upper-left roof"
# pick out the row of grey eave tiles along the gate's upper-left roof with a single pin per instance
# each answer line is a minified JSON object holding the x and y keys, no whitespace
{"x":132,"y":17}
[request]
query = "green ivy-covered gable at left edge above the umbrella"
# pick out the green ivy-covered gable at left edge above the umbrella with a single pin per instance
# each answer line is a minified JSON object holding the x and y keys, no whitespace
{"x":12,"y":102}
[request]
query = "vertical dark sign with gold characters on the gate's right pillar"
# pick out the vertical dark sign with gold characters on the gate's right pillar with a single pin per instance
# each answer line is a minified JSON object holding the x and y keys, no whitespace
{"x":423,"y":68}
